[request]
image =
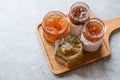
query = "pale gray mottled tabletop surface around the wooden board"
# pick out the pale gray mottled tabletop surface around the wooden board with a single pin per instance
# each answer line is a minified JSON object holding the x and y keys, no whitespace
{"x":21,"y":55}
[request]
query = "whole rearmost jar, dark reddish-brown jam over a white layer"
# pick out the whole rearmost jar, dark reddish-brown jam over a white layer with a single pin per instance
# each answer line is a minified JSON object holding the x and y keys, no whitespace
{"x":78,"y":15}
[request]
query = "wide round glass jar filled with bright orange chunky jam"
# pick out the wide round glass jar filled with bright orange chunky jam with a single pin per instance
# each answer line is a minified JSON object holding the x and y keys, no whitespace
{"x":54,"y":25}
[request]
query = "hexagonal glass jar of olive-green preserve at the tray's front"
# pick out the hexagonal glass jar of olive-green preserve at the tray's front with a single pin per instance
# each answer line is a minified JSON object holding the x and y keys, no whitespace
{"x":68,"y":50}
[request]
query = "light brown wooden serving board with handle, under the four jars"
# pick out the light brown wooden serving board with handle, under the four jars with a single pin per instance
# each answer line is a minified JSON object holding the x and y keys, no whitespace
{"x":104,"y":51}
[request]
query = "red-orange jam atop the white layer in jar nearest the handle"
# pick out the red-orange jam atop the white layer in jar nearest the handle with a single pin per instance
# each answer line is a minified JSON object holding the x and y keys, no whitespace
{"x":93,"y":31}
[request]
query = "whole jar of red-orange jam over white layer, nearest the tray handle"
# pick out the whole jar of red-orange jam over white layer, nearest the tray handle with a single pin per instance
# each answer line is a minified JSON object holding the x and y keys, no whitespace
{"x":93,"y":31}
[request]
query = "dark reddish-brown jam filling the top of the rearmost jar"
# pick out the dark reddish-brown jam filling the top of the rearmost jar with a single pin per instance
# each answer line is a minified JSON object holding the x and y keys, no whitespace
{"x":79,"y":13}
